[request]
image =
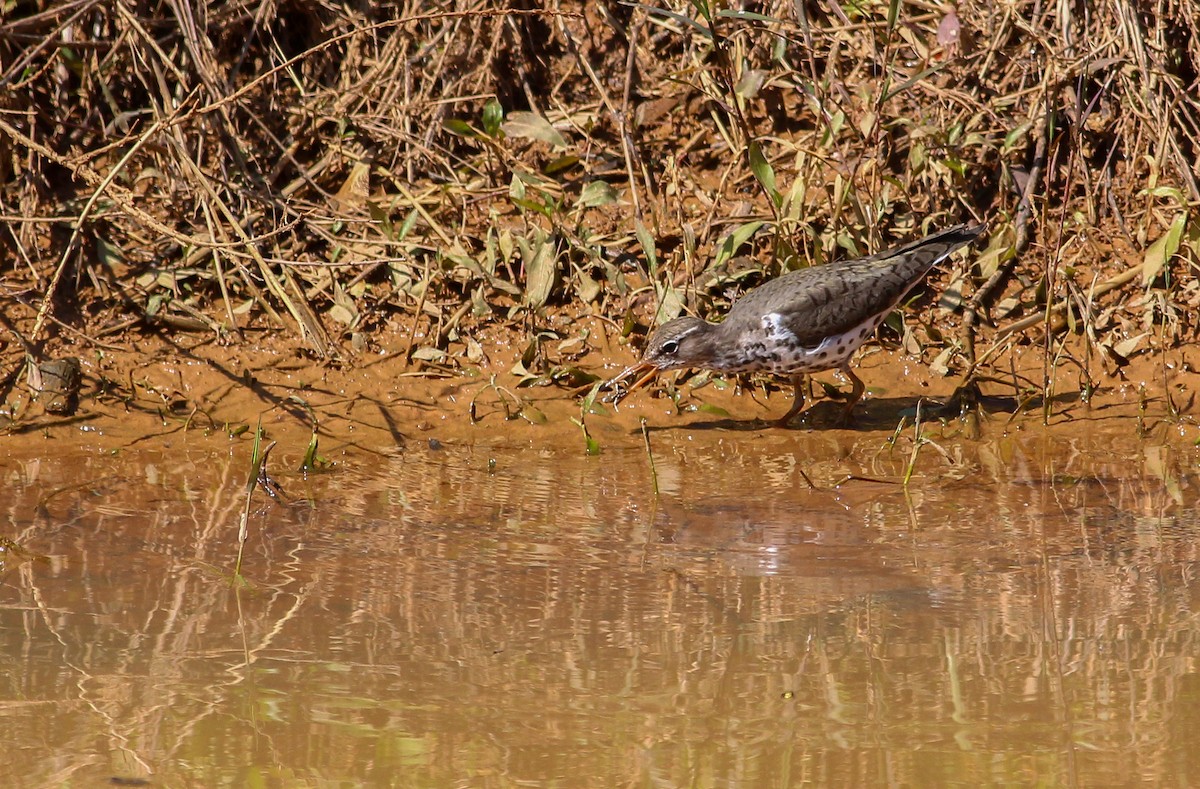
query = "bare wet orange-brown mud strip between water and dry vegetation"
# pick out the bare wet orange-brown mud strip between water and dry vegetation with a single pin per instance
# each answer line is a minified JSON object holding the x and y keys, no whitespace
{"x":147,"y":392}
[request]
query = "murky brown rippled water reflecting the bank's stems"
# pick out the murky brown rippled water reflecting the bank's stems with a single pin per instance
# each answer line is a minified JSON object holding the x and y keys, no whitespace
{"x":1025,"y":613}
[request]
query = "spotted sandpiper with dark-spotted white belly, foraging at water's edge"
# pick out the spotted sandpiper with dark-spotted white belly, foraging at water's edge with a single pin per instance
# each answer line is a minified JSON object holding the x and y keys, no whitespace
{"x":805,"y":322}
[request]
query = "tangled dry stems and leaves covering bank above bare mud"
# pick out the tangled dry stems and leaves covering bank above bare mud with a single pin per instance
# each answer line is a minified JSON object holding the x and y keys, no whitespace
{"x":440,"y":172}
